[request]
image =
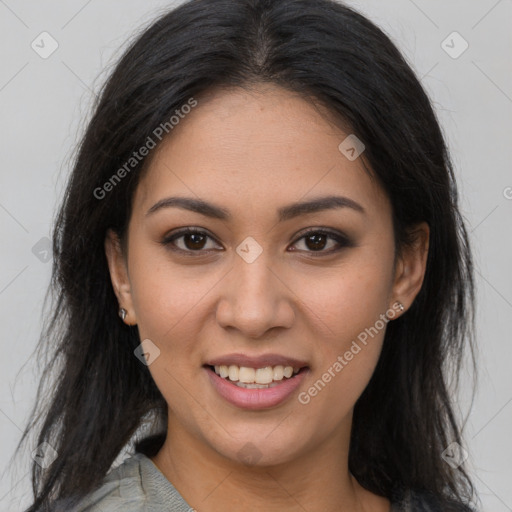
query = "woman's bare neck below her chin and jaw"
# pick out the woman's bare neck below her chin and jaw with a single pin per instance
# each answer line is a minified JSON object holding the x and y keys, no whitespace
{"x":316,"y":480}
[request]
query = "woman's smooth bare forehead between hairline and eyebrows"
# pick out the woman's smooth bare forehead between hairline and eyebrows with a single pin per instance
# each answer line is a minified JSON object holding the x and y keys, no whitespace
{"x":264,"y":146}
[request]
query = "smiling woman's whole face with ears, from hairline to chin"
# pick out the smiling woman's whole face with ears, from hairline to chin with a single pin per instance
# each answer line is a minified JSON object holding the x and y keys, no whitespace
{"x":266,"y":284}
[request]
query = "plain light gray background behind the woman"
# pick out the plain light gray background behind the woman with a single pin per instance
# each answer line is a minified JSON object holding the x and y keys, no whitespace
{"x":45,"y":102}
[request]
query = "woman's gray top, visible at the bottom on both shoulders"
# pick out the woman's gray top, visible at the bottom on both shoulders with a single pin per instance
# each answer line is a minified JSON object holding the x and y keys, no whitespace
{"x":137,"y":485}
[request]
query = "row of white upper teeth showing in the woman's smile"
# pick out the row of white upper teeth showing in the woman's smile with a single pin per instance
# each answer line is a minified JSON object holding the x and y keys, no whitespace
{"x":255,"y":377}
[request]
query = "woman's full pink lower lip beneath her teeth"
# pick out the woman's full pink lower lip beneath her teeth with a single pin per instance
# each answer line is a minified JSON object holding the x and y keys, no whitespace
{"x":255,"y":399}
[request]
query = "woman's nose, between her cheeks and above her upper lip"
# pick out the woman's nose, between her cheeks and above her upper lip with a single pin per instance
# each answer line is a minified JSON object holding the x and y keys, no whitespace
{"x":255,"y":299}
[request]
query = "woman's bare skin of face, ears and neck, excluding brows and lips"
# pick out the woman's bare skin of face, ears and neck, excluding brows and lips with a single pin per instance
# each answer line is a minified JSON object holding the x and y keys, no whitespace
{"x":252,"y":152}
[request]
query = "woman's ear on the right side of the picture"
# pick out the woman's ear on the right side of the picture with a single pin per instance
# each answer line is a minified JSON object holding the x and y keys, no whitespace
{"x":411,"y":265}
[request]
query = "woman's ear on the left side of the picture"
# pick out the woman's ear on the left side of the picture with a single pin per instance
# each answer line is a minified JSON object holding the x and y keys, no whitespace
{"x":119,"y":275}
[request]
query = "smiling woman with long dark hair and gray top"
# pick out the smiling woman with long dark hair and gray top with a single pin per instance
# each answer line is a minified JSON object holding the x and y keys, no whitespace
{"x":262,"y":276}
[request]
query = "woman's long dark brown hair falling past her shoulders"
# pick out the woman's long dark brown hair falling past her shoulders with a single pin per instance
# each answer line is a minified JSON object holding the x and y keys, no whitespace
{"x":95,"y":394}
